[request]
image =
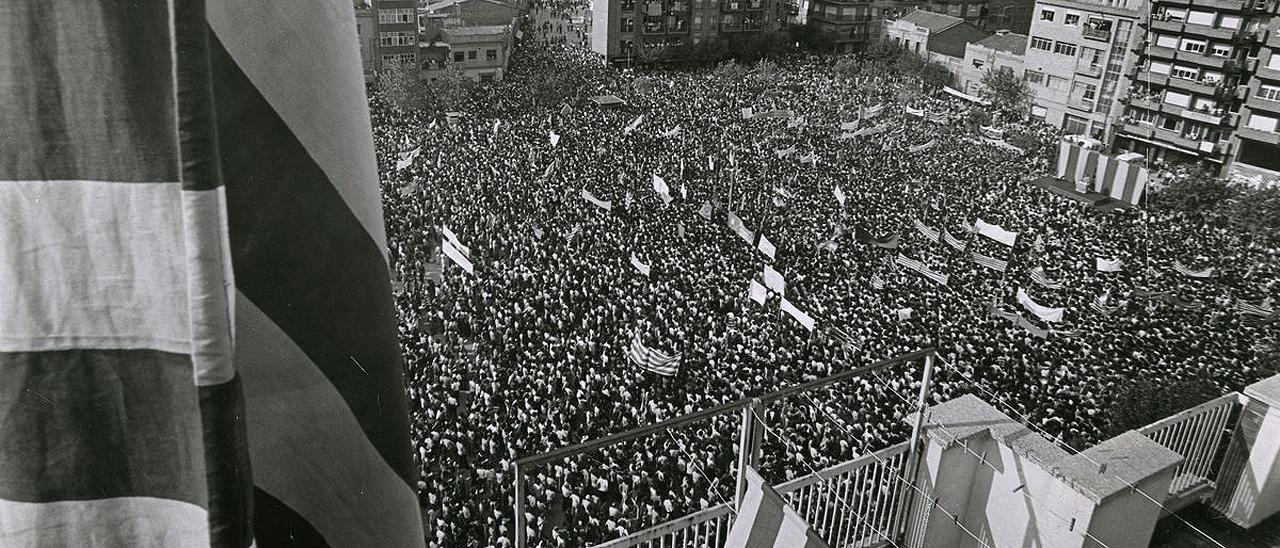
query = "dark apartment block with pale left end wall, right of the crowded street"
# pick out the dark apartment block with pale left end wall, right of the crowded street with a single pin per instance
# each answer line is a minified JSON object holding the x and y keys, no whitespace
{"x":620,"y":29}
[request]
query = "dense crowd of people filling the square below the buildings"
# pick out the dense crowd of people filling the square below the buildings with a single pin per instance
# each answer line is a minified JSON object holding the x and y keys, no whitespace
{"x":529,"y":353}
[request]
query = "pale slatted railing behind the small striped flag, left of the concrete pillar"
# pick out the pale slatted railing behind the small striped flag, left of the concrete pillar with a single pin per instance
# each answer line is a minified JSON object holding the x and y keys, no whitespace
{"x":854,"y":504}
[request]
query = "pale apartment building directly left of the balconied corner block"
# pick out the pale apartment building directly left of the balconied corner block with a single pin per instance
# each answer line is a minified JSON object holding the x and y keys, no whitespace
{"x":1077,"y":62}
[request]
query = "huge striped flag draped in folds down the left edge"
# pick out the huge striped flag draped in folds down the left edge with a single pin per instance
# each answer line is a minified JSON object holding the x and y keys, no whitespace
{"x":198,"y":340}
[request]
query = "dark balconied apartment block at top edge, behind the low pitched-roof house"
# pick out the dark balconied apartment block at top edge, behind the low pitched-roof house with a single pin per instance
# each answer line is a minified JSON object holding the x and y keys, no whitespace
{"x":854,"y":25}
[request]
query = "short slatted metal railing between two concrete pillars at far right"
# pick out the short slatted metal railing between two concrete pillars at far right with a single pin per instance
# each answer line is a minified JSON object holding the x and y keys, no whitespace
{"x":1197,"y":435}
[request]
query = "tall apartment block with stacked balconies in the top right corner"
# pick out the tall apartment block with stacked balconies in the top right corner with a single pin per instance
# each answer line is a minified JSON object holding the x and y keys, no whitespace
{"x":1205,"y":90}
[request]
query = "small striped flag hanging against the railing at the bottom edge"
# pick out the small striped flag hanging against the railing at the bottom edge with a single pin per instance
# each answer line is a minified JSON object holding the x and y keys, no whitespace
{"x":765,"y":520}
